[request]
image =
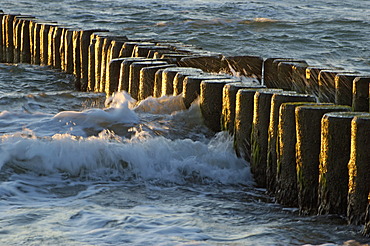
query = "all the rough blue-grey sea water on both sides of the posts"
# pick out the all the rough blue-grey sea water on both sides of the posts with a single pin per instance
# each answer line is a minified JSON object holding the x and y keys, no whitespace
{"x":82,"y":169}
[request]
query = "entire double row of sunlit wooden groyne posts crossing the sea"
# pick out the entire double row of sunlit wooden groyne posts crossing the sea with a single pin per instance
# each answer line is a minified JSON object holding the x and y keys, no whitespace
{"x":304,"y":129}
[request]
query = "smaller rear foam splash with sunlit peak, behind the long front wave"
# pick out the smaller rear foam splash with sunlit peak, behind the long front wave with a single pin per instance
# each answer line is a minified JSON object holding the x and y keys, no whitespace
{"x":120,"y":110}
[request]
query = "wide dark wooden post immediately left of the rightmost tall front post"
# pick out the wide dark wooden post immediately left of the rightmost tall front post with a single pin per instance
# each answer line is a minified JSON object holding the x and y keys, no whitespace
{"x":334,"y":157}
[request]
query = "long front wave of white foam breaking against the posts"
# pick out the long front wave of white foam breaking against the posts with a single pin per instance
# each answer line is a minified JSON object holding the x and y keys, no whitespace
{"x":155,"y":158}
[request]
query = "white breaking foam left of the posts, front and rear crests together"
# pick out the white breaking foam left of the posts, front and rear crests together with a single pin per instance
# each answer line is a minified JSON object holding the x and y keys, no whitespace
{"x":143,"y":155}
